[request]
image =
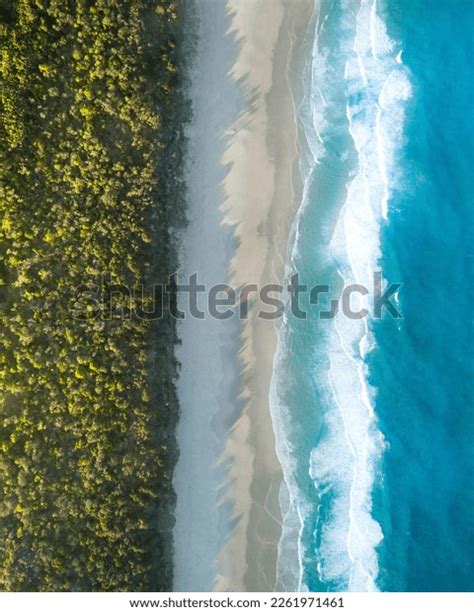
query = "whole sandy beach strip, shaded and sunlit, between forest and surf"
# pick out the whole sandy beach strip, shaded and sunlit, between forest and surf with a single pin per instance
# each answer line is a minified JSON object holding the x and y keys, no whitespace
{"x":243,"y":194}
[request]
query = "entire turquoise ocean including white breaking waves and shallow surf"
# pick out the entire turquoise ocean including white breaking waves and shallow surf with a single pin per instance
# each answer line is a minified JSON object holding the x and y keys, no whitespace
{"x":373,"y":414}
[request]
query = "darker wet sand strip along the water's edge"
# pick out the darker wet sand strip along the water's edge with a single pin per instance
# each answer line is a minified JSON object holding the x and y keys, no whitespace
{"x":281,"y":149}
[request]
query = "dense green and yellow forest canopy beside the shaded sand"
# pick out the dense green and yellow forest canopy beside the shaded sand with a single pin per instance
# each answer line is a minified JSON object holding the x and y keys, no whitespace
{"x":91,"y":135}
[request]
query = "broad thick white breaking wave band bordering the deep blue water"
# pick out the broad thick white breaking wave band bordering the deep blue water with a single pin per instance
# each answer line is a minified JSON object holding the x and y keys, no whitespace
{"x":345,"y":462}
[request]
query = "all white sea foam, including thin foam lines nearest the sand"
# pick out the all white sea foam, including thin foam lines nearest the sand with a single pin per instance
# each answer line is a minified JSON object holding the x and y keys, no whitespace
{"x":371,"y":89}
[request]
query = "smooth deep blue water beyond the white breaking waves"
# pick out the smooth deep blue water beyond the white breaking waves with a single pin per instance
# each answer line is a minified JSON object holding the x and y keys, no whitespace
{"x":424,"y":370}
